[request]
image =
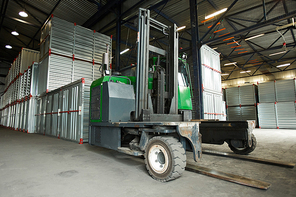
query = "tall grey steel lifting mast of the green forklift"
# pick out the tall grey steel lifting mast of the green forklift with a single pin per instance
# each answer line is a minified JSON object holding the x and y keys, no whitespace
{"x":163,"y":98}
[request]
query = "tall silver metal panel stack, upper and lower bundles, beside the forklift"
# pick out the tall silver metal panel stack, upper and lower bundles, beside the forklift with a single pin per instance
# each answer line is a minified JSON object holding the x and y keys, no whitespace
{"x":69,"y":52}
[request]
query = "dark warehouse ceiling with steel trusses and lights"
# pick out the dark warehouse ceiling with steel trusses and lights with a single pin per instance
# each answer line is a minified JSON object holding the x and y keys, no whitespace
{"x":271,"y":20}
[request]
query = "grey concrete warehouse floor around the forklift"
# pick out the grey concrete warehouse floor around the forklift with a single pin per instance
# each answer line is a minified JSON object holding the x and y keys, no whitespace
{"x":37,"y":165}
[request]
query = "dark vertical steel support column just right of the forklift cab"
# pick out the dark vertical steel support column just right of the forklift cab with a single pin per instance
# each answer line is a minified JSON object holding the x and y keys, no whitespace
{"x":197,"y":71}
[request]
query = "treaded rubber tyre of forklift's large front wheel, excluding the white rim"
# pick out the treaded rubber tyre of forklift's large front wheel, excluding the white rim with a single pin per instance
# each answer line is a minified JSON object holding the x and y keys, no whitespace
{"x":176,"y":158}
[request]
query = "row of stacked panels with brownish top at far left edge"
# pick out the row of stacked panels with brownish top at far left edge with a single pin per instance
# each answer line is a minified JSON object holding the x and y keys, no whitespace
{"x":17,"y":90}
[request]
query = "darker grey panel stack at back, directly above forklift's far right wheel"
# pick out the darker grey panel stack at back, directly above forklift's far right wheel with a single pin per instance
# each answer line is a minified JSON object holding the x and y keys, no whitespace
{"x":241,"y":103}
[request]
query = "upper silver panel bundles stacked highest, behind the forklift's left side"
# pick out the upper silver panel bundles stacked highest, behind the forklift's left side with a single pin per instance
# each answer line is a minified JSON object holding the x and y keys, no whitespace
{"x":70,"y":52}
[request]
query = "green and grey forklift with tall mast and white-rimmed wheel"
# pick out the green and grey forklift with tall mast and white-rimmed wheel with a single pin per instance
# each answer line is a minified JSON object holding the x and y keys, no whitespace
{"x":150,"y":114}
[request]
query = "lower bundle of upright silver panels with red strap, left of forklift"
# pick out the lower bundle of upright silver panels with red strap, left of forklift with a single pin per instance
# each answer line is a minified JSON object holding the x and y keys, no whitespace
{"x":64,"y":112}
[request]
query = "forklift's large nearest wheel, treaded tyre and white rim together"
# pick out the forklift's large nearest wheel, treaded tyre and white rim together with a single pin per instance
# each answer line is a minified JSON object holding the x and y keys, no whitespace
{"x":165,"y":158}
